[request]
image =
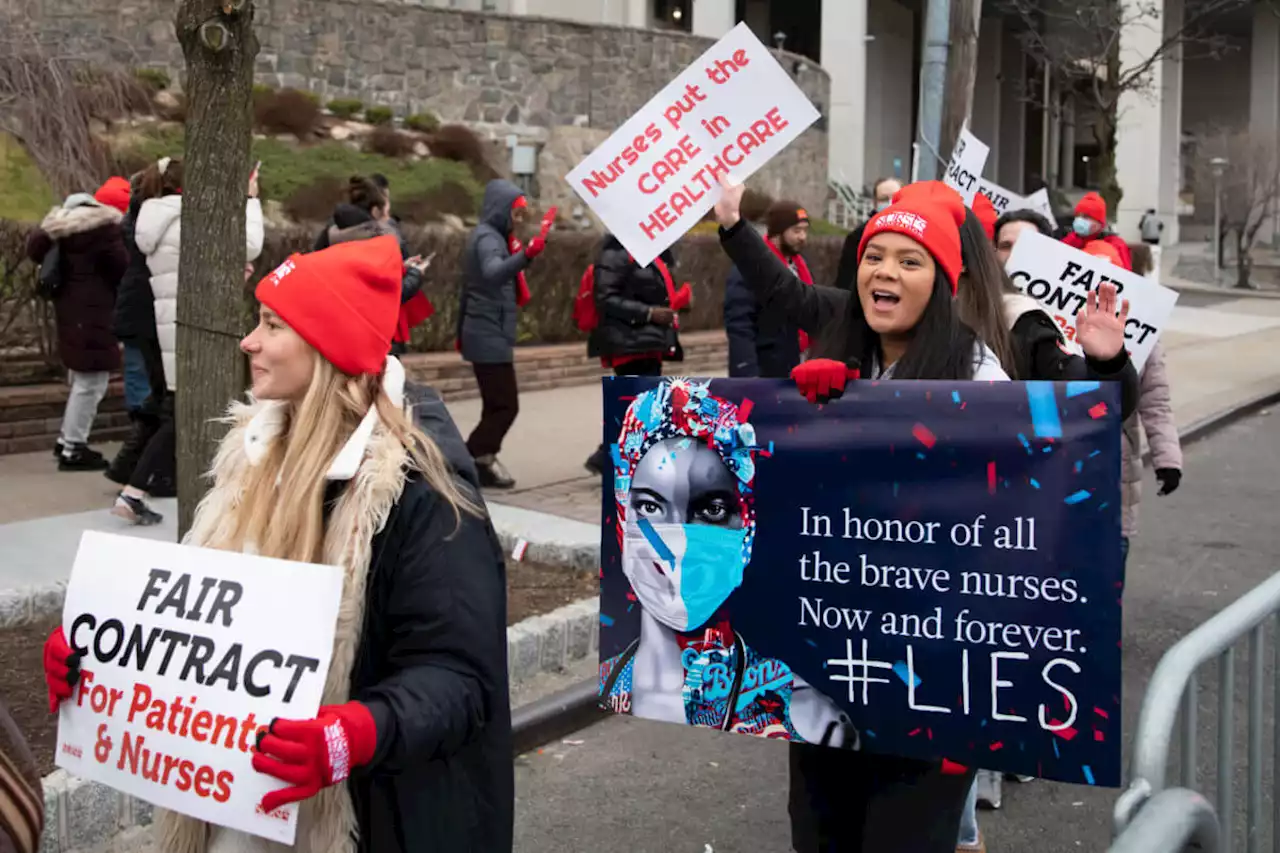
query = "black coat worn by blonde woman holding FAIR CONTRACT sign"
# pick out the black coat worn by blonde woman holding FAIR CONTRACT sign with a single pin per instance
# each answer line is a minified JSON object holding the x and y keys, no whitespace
{"x":432,"y":669}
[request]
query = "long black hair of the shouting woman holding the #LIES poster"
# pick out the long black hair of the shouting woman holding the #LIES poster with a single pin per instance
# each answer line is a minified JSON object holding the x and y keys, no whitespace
{"x":943,"y":348}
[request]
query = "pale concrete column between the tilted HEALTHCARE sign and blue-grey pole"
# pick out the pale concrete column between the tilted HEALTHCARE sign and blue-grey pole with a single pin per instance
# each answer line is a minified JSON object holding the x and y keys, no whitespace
{"x":844,"y":57}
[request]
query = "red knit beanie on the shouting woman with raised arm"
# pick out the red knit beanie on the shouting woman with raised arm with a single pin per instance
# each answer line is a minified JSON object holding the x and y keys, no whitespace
{"x":930,"y":213}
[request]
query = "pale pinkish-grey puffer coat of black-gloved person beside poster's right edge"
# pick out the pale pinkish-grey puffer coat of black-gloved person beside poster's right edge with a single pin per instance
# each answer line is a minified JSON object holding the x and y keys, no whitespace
{"x":1156,"y":417}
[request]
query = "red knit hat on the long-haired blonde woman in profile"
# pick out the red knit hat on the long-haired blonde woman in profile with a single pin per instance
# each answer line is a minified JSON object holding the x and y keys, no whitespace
{"x":345,"y":302}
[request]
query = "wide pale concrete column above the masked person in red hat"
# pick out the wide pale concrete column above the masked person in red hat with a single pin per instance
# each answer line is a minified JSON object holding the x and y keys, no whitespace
{"x":1149,"y":136}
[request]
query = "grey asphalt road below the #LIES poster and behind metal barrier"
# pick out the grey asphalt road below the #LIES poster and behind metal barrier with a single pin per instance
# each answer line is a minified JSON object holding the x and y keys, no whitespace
{"x":651,"y":788}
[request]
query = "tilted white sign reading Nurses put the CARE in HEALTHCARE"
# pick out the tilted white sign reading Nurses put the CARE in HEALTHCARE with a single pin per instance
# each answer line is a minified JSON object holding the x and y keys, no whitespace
{"x":730,"y":112}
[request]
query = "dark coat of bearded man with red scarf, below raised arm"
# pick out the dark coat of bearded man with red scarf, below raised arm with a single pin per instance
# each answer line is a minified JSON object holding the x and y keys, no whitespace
{"x":762,"y":343}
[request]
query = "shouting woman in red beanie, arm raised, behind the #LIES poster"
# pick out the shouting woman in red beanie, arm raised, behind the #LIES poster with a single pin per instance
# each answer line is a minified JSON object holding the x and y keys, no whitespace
{"x":899,"y":323}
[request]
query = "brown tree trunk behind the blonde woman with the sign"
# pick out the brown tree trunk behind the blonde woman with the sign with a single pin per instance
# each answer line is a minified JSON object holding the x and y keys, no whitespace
{"x":221,"y":49}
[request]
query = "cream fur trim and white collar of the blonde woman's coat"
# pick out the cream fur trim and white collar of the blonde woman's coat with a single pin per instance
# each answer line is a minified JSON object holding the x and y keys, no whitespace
{"x":374,"y":466}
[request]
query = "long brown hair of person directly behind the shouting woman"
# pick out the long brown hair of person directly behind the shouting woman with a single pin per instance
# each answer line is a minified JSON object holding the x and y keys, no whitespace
{"x":980,"y":299}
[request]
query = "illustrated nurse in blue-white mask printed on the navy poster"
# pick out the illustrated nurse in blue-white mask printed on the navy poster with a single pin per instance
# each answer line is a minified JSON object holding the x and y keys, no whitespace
{"x":684,"y":489}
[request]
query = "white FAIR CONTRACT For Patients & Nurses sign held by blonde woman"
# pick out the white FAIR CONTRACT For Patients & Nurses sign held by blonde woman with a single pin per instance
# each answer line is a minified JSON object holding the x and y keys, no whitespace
{"x":188,"y":654}
